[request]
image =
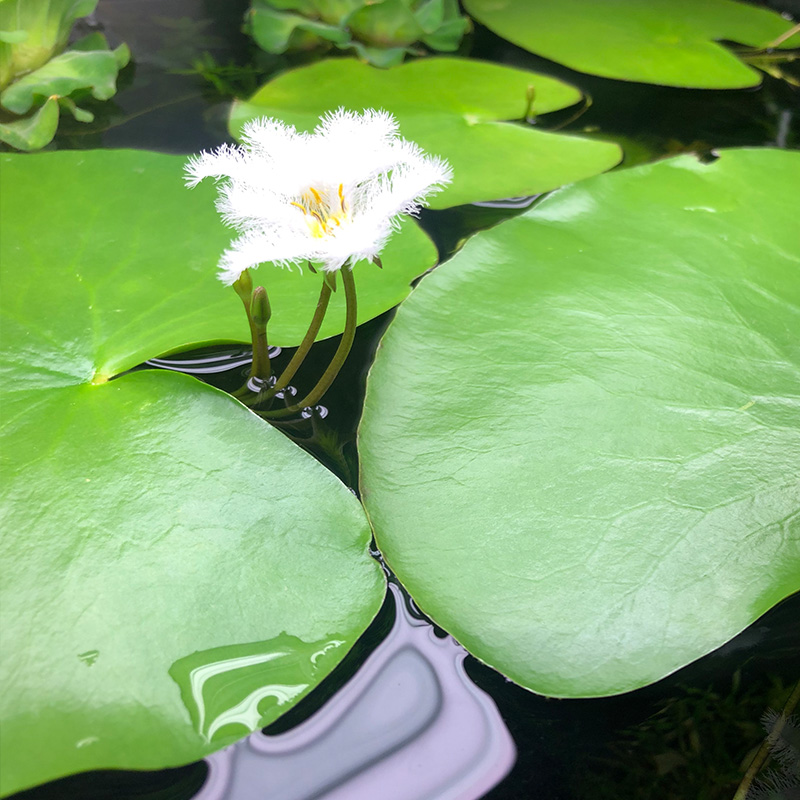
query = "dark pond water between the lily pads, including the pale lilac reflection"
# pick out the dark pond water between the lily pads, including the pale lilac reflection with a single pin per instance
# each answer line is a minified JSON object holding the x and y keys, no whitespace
{"x":457,"y":726}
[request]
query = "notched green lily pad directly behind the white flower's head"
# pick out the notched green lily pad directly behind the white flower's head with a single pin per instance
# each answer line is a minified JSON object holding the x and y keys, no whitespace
{"x":451,"y":107}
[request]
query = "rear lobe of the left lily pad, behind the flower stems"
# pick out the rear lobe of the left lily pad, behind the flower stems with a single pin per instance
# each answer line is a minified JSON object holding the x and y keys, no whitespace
{"x":143,"y":250}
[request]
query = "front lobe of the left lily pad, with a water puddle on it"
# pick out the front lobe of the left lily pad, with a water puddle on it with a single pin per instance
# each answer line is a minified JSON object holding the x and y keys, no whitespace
{"x":176,"y":574}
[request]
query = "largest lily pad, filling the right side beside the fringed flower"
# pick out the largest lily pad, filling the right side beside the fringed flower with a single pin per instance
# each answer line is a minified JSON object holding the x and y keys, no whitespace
{"x":581,"y":438}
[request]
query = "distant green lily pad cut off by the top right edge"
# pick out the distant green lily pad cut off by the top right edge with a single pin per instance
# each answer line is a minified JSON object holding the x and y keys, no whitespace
{"x":668,"y":42}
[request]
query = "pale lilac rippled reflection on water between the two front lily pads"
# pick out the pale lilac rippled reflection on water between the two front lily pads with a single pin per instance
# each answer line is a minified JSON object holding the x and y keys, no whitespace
{"x":409,"y":725}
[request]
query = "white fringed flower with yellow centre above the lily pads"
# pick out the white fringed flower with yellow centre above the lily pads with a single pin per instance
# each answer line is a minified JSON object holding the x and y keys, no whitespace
{"x":327,"y":197}
